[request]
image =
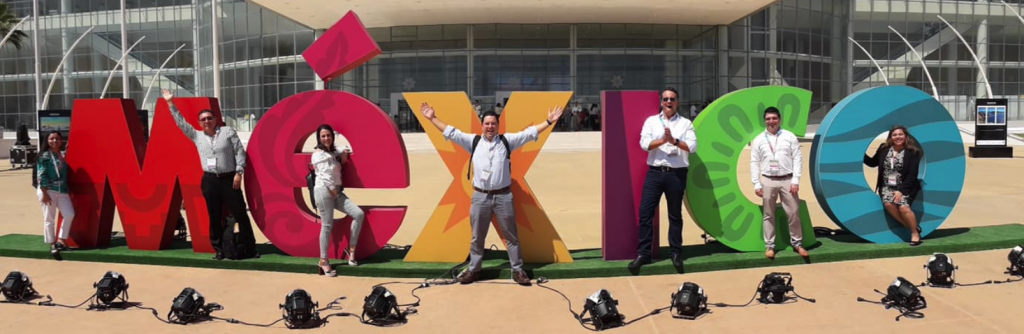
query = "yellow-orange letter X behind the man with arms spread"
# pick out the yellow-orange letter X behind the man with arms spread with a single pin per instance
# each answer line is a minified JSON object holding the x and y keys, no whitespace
{"x":446,"y":238}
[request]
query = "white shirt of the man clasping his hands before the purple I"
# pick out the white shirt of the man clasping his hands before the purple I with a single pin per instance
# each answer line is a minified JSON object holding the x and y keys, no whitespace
{"x":668,"y":155}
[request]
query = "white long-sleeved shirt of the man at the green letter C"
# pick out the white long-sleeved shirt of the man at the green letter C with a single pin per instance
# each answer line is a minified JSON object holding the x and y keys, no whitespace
{"x":776,"y":155}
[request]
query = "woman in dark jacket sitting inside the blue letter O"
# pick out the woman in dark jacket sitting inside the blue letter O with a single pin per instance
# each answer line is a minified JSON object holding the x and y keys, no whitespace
{"x":899,"y":161}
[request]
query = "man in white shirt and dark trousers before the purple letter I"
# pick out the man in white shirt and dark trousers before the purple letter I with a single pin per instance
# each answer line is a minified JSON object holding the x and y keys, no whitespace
{"x":669,"y":140}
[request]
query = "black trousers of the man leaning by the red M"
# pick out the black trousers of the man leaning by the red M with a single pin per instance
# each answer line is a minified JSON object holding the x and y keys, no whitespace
{"x":219,"y":192}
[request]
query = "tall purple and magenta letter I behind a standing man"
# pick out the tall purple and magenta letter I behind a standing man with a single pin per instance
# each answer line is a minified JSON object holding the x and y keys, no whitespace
{"x":624,"y":169}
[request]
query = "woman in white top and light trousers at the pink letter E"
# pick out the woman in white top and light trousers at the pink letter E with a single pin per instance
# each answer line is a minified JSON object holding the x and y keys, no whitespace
{"x":327,"y":161}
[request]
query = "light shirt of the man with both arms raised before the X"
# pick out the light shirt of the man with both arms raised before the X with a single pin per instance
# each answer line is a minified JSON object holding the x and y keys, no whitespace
{"x":491,"y":169}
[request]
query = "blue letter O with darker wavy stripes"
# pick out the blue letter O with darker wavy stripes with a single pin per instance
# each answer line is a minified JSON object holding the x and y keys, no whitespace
{"x":837,"y":161}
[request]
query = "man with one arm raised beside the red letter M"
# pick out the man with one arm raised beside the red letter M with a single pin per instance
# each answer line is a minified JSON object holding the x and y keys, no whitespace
{"x":224,"y":161}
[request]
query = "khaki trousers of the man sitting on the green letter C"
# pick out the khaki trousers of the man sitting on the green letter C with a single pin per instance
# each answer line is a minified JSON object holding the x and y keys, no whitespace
{"x":779,"y":188}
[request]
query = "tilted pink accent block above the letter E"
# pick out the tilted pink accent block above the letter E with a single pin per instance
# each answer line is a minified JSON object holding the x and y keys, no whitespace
{"x":345,"y":47}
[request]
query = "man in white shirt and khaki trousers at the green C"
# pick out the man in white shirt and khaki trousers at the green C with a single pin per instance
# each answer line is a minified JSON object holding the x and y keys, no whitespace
{"x":776,"y":169}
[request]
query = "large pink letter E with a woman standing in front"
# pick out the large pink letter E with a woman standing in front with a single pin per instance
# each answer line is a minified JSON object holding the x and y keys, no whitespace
{"x":276,"y":173}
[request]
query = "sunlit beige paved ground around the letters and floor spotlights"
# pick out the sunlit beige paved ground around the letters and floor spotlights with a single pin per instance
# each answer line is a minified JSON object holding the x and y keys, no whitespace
{"x":568,"y":185}
